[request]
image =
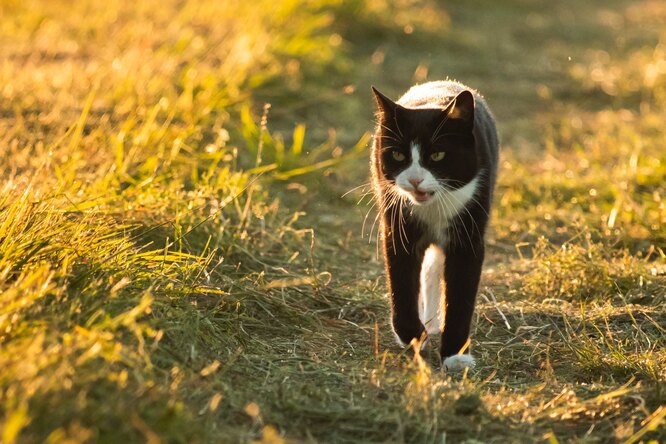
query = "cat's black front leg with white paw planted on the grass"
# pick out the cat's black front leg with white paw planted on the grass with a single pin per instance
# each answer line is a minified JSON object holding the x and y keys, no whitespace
{"x":462,"y":272}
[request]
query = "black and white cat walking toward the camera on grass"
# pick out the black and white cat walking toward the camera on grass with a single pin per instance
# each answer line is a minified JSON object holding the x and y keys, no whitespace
{"x":434,"y":163}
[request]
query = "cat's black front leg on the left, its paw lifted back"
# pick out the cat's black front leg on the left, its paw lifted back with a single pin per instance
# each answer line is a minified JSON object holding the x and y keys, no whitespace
{"x":403,"y":267}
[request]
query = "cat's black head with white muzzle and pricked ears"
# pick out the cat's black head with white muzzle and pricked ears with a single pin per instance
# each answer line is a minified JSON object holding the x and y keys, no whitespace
{"x":426,"y":153}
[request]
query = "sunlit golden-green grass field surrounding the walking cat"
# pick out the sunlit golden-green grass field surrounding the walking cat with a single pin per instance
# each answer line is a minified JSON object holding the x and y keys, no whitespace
{"x":183,"y":253}
